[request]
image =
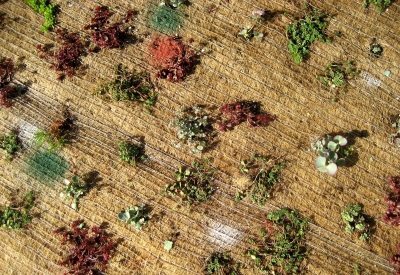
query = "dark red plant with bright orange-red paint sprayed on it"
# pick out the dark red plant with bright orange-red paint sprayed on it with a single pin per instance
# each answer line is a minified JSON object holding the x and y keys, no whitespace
{"x":173,"y":59}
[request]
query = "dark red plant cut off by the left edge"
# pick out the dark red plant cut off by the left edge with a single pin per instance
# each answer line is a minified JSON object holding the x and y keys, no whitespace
{"x":6,"y":75}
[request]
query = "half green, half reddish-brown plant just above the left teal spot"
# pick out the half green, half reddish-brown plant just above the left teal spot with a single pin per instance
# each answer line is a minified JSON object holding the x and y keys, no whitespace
{"x":57,"y":135}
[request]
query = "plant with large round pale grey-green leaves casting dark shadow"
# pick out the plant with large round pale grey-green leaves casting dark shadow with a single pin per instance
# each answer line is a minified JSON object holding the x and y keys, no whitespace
{"x":332,"y":153}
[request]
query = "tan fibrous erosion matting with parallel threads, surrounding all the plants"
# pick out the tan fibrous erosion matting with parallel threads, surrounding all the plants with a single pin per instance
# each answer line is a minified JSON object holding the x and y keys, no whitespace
{"x":228,"y":69}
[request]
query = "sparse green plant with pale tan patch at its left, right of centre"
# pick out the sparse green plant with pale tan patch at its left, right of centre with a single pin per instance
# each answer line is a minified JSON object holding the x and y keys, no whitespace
{"x":264,"y":175}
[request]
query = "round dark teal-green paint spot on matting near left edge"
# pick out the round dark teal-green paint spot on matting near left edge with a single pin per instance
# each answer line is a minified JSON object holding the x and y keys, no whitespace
{"x":47,"y":167}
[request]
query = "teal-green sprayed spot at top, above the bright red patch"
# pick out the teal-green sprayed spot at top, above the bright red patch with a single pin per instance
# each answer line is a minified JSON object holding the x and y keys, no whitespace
{"x":165,"y":19}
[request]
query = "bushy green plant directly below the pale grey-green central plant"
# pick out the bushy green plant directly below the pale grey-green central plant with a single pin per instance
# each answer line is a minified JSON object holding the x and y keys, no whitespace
{"x":192,"y":185}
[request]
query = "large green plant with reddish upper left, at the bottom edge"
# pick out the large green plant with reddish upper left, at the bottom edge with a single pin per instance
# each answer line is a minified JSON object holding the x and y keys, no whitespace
{"x":281,"y":248}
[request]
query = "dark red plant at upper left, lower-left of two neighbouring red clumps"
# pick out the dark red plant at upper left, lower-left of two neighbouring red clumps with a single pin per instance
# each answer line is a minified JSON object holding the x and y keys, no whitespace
{"x":67,"y":56}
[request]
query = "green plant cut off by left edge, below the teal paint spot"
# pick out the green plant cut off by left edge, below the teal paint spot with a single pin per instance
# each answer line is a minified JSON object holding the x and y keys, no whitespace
{"x":18,"y":214}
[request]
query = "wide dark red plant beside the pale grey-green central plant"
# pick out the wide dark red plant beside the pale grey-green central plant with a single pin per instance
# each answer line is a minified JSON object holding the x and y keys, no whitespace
{"x":239,"y":112}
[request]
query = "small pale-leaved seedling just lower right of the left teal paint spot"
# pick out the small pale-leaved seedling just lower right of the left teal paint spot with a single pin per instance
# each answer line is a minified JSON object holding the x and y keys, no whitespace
{"x":74,"y":189}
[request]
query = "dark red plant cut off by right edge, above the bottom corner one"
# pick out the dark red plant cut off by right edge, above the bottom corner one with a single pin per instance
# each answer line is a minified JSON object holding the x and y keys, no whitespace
{"x":392,"y":215}
